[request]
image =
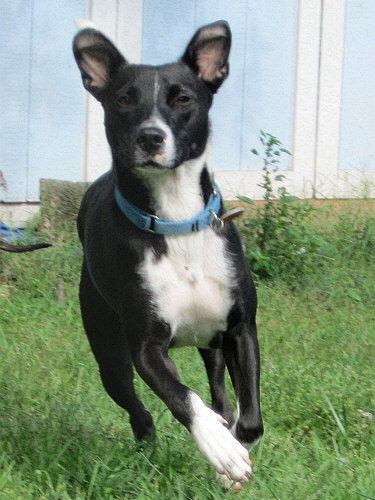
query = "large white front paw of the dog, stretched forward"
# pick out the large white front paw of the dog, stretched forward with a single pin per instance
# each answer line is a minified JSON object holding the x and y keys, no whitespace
{"x":217,"y":443}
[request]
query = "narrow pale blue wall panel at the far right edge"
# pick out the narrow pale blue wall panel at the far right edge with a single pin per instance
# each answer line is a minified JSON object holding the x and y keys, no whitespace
{"x":357,"y":138}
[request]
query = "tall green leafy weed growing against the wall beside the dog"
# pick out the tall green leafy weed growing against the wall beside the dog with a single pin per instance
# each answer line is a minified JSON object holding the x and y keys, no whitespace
{"x":279,"y":237}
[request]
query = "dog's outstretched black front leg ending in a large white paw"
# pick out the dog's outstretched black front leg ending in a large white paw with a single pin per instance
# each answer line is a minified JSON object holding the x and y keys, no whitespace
{"x":214,"y":440}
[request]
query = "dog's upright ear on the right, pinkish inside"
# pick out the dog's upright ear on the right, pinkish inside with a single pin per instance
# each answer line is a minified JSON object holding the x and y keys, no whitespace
{"x":207,"y":53}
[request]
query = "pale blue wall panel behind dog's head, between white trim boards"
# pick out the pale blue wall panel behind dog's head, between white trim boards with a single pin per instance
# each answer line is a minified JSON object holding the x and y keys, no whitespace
{"x":259,"y":92}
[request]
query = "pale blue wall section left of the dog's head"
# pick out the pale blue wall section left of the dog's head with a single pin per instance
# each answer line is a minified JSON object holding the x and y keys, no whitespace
{"x":41,"y":97}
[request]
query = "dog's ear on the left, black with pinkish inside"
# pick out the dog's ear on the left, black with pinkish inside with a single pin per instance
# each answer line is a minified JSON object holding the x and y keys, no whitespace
{"x":97,"y":58}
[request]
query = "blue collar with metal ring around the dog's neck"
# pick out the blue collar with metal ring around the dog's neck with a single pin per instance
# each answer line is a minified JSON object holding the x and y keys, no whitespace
{"x":152,"y":223}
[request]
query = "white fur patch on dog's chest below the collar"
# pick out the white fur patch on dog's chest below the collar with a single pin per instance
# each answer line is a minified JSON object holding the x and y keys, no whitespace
{"x":191,"y":286}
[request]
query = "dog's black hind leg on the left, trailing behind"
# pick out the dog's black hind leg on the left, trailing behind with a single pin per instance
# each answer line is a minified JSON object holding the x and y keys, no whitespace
{"x":111,"y":351}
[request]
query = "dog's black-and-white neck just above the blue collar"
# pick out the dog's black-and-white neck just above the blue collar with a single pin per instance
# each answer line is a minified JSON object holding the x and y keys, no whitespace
{"x":176,"y":194}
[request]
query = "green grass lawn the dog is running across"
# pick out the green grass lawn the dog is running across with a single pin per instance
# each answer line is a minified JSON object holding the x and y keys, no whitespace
{"x":61,"y":437}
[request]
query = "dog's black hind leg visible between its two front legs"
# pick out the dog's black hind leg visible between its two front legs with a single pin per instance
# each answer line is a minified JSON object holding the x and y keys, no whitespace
{"x":215,"y":366}
